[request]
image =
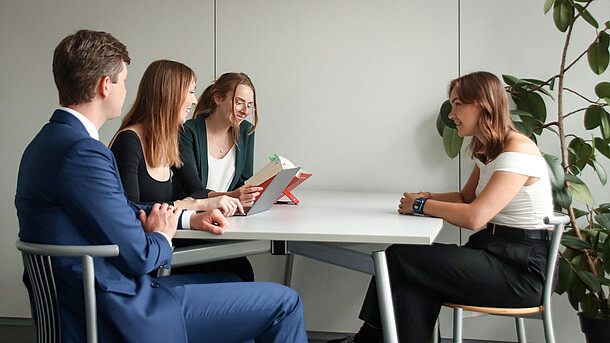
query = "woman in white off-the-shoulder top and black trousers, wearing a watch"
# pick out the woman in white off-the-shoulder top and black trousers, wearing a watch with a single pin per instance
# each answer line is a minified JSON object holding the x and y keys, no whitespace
{"x":505,"y":200}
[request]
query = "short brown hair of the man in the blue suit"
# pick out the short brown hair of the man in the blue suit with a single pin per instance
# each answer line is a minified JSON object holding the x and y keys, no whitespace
{"x":81,"y":60}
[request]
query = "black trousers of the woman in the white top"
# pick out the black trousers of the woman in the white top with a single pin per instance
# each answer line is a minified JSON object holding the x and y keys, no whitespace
{"x":488,"y":271}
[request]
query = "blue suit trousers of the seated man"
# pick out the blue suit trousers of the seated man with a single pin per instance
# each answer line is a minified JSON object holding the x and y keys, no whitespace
{"x":236,"y":311}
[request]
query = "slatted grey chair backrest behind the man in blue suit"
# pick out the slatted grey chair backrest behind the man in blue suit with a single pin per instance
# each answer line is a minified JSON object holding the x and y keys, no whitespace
{"x":37,"y":263}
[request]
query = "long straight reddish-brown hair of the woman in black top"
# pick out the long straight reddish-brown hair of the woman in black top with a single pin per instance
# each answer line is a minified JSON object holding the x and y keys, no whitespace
{"x":162,"y":91}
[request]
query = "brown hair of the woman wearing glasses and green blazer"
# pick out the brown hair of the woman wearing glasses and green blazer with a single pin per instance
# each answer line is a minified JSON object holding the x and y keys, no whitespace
{"x":225,"y":84}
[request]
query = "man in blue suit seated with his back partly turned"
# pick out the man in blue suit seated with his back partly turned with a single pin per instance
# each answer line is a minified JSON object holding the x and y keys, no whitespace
{"x":69,"y":192}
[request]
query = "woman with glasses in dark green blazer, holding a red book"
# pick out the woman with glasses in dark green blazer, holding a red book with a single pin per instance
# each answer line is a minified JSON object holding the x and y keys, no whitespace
{"x":219,"y":143}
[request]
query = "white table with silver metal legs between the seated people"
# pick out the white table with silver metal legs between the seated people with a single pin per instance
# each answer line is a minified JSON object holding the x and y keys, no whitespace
{"x":306,"y":229}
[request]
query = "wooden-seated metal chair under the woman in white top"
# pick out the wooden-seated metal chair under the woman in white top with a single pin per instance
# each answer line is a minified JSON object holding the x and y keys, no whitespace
{"x":538,"y":312}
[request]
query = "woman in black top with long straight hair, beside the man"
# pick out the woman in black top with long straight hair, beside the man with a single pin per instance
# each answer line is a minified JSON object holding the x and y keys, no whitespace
{"x":146,"y":145}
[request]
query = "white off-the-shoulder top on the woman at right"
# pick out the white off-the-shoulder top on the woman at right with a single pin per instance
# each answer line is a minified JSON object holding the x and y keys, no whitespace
{"x":532,"y":203}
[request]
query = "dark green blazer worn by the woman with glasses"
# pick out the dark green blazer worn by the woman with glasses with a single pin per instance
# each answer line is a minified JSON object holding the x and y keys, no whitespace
{"x":194,"y":151}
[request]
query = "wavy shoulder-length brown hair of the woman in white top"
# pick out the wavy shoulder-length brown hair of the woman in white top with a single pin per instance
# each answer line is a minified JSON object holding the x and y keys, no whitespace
{"x":487,"y":92}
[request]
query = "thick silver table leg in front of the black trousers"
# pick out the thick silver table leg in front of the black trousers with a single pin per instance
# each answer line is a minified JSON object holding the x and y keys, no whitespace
{"x":384,"y":294}
